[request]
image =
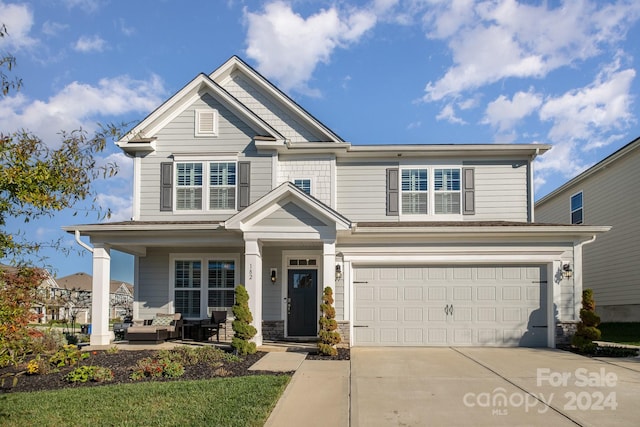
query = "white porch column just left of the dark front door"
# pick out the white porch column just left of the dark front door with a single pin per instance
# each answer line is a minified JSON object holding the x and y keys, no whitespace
{"x":253,"y":283}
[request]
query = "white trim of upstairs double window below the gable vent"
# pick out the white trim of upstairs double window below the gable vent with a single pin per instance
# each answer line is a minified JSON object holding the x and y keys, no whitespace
{"x":205,"y":183}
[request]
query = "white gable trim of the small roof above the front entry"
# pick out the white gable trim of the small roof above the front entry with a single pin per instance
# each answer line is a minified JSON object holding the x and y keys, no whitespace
{"x":263,"y":206}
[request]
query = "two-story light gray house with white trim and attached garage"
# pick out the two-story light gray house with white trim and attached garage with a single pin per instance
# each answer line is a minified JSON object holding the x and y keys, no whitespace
{"x":234,"y":183}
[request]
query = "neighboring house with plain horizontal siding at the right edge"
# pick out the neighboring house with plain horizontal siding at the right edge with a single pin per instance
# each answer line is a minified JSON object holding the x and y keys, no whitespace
{"x":606,"y":193}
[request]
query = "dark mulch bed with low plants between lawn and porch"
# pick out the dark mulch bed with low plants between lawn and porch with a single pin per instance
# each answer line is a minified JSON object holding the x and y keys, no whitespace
{"x":122,"y":364}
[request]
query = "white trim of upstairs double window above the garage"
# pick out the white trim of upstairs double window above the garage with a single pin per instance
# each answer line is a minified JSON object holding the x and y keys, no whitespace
{"x":431,"y":167}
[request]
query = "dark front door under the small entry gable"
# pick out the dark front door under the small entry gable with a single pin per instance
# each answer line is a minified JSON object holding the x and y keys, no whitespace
{"x":302,"y":305}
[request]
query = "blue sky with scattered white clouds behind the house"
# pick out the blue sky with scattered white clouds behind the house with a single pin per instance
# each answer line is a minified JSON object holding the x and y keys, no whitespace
{"x":375,"y":72}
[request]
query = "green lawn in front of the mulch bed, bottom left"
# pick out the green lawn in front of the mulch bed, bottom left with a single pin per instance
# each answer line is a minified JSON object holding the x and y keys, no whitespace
{"x":235,"y":401}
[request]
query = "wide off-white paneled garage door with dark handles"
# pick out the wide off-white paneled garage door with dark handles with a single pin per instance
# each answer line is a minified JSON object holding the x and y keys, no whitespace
{"x":450,"y":305}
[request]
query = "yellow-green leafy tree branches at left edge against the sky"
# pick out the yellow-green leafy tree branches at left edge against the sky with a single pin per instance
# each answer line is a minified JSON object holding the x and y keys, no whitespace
{"x":37,"y":180}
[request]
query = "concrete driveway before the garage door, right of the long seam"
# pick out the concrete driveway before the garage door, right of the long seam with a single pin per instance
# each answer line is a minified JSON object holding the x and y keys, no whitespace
{"x":491,"y":387}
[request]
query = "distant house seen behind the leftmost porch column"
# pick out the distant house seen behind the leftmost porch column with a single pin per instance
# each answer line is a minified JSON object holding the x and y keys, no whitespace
{"x":78,"y":288}
